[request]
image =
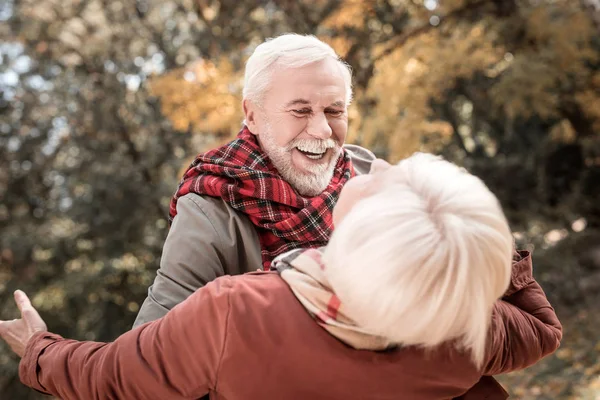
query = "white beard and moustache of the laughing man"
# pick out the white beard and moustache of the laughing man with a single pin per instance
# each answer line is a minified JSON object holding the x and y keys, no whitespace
{"x":307,"y":184}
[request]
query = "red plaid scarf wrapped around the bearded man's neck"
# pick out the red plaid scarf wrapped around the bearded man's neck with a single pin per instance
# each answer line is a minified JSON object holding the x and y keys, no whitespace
{"x":242,"y":175}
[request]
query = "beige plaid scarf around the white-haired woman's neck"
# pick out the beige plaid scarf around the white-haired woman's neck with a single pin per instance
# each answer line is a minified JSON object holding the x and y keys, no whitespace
{"x":303,"y":271}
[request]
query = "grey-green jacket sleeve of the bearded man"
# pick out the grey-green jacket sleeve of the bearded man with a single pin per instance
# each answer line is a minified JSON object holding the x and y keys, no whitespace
{"x":191,"y":258}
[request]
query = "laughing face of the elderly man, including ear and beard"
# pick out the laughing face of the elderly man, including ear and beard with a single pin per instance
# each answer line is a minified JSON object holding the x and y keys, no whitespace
{"x":302,"y":123}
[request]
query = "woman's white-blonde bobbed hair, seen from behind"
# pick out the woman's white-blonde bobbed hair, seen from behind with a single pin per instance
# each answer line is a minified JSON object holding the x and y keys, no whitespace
{"x":422,"y":261}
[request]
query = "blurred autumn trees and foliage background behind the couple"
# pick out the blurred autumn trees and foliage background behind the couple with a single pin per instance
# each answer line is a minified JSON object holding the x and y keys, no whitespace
{"x":103,"y":103}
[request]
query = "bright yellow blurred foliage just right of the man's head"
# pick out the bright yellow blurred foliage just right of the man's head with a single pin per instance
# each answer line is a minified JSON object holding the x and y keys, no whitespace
{"x":408,"y":79}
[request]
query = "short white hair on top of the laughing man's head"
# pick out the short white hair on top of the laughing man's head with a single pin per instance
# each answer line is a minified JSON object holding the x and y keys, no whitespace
{"x":287,"y":51}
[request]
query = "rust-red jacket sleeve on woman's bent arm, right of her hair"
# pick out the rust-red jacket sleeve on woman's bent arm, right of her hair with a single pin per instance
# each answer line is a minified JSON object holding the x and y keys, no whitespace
{"x":524,"y":326}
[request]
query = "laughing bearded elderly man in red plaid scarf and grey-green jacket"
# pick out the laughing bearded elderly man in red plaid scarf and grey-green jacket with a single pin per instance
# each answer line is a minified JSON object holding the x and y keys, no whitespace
{"x":272,"y":189}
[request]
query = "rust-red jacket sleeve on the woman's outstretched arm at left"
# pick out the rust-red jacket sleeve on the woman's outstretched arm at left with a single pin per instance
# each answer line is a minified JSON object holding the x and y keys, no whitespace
{"x":176,"y":357}
